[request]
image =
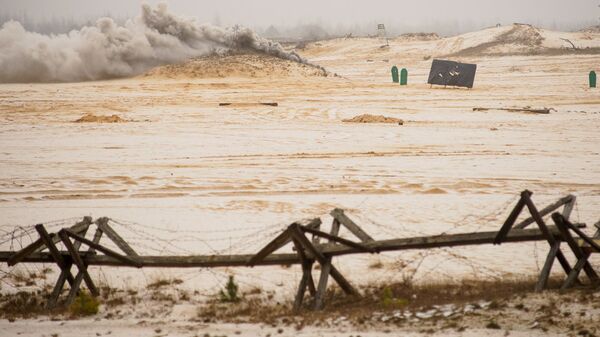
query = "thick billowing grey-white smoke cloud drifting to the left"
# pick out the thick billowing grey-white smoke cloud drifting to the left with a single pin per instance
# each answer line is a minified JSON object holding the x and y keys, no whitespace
{"x":108,"y":50}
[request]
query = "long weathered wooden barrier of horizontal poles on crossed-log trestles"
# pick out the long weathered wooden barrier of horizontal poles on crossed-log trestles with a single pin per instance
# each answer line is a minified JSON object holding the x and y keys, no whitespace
{"x":311,"y":246}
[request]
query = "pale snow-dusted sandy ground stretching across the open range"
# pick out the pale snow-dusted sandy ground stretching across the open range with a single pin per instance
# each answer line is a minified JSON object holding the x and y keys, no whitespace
{"x":207,"y":179}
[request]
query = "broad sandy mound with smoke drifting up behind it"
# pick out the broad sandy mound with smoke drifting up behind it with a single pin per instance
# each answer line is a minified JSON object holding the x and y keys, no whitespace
{"x":236,"y":65}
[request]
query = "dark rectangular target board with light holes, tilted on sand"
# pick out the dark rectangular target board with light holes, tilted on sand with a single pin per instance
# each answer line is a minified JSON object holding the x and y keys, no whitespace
{"x":452,"y":73}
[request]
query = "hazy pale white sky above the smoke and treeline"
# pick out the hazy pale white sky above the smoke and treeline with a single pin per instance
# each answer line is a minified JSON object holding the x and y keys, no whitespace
{"x":329,"y":12}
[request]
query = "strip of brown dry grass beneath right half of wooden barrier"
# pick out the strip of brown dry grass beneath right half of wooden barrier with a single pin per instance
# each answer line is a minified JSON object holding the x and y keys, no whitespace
{"x":403,"y":295}
